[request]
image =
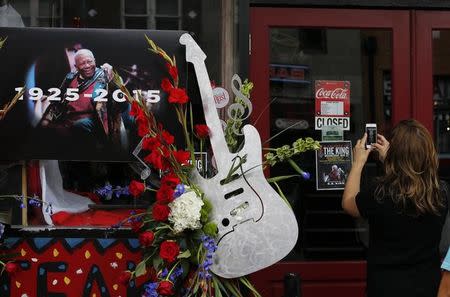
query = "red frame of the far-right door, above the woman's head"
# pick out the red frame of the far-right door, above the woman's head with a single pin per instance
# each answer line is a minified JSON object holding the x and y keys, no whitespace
{"x":426,"y":22}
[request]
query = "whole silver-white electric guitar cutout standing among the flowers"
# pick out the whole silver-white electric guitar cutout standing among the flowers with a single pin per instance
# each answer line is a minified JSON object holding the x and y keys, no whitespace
{"x":256,"y":227}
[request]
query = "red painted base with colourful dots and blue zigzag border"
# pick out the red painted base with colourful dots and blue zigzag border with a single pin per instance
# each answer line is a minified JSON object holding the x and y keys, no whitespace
{"x":71,"y":267}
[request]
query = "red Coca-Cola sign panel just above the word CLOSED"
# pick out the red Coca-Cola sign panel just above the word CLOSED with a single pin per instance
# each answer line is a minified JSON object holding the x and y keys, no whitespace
{"x":332,"y":98}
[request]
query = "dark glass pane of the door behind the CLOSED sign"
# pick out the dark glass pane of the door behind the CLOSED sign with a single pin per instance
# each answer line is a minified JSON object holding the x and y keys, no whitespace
{"x":298,"y":59}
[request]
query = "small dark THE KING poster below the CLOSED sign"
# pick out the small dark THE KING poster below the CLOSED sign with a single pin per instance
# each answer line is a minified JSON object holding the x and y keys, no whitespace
{"x":333,"y":163}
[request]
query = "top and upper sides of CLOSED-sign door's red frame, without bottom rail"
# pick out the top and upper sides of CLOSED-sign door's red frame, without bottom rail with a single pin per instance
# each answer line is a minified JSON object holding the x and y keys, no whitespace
{"x":262,"y":18}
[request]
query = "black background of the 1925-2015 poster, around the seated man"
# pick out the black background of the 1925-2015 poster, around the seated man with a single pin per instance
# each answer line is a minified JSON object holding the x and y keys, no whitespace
{"x":39,"y":58}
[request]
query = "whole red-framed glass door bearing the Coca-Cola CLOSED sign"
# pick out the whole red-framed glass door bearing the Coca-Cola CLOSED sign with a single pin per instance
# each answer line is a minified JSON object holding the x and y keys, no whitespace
{"x":292,"y":52}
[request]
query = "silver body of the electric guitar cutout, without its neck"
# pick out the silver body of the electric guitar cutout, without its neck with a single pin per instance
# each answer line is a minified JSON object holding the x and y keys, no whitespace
{"x":260,"y":234}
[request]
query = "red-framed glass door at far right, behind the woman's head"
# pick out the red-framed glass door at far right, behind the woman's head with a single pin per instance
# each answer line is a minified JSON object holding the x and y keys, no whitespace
{"x":432,"y":101}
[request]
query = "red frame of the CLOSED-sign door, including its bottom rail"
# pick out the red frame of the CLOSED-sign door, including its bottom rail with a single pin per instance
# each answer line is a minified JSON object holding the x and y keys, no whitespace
{"x":344,"y":278}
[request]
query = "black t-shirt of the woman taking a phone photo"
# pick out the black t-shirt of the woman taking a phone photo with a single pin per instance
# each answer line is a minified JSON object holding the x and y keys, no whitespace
{"x":403,"y":255}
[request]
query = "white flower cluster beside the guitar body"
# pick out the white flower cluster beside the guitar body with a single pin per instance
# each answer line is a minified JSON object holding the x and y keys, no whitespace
{"x":185,"y":212}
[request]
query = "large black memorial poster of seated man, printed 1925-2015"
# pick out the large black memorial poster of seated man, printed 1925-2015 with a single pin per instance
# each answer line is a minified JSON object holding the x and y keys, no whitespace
{"x":89,"y":118}
